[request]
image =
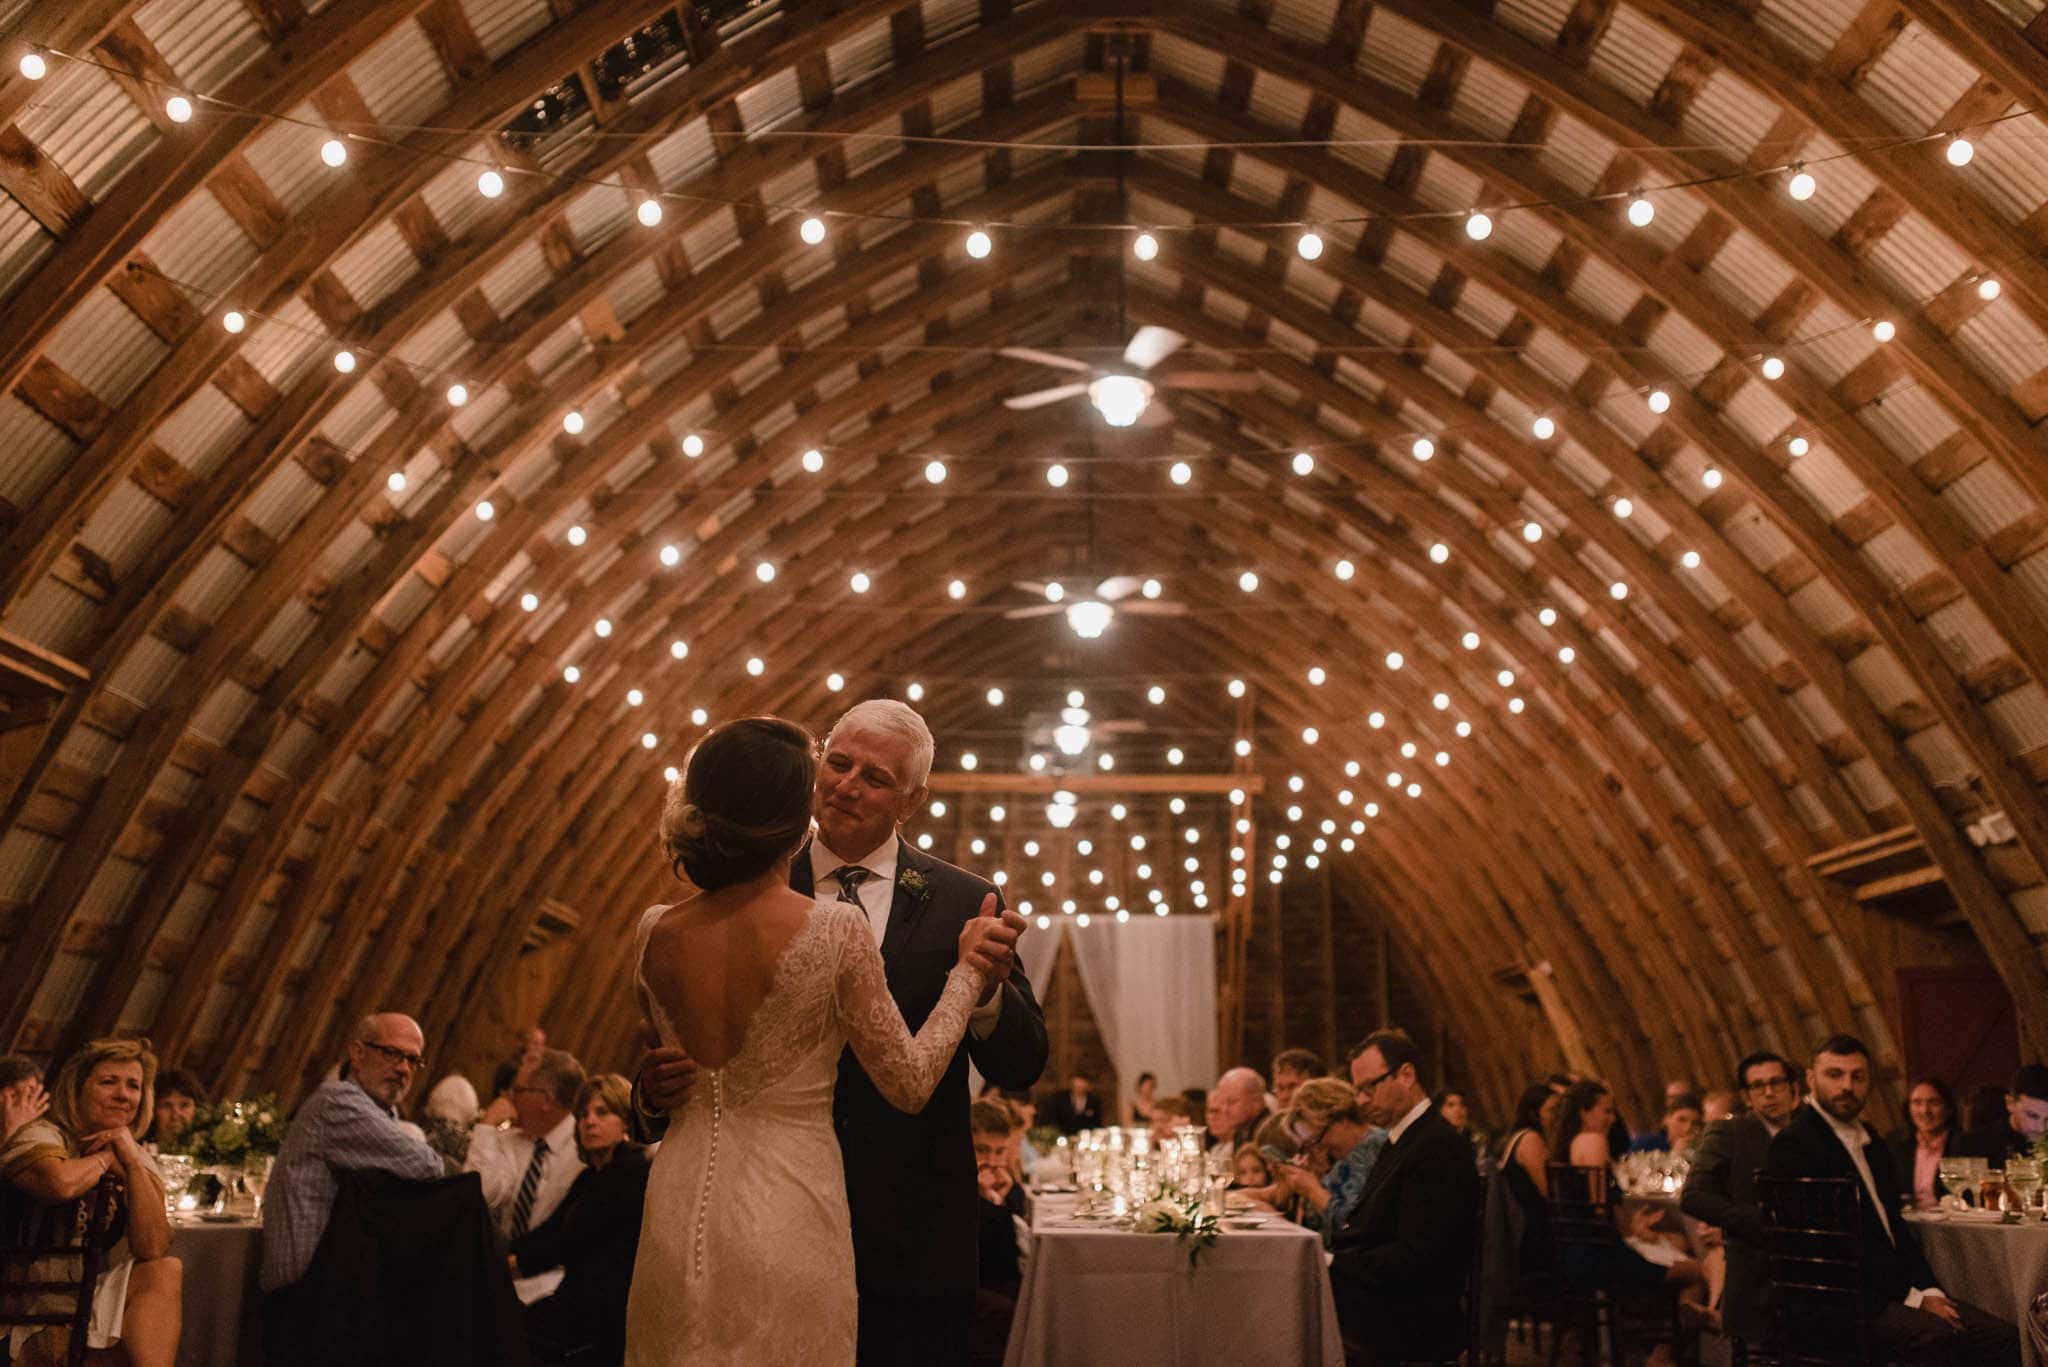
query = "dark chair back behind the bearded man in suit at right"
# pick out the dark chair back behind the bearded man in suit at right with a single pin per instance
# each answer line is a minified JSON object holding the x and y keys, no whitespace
{"x":1814,"y":1237}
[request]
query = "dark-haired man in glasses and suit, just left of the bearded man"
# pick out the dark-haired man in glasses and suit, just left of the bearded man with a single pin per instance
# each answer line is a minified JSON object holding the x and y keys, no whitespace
{"x":1723,"y":1190}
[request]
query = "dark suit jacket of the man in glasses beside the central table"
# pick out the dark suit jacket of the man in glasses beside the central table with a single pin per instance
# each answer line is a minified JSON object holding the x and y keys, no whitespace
{"x":1406,"y":1249}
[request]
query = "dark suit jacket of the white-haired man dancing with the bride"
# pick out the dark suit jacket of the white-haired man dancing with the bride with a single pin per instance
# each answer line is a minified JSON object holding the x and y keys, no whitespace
{"x":910,"y":1179}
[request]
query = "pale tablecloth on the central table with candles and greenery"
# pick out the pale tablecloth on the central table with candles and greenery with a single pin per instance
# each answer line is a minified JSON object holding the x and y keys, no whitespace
{"x":1105,"y":1296}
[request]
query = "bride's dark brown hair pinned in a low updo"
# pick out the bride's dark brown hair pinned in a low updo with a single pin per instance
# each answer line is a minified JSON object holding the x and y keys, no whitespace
{"x":744,"y":800}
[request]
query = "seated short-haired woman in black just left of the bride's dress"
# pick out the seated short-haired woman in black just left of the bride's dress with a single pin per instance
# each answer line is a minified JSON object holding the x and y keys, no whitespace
{"x":593,"y":1237}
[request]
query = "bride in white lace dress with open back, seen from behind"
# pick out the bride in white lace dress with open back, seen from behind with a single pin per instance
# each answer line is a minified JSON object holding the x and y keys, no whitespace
{"x":746,"y":1247}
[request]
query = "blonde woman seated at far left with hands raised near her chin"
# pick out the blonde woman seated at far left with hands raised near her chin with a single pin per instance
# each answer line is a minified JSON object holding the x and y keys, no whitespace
{"x":97,"y":1112}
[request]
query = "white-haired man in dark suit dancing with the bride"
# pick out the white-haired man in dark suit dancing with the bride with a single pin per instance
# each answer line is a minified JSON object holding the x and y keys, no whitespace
{"x":910,"y":1179}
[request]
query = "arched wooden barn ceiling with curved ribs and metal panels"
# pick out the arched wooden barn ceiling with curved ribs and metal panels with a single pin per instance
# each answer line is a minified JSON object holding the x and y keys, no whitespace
{"x":325,"y":759}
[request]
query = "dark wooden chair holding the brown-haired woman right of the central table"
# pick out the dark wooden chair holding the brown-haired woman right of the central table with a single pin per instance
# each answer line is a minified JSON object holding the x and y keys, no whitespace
{"x":1586,"y":1241}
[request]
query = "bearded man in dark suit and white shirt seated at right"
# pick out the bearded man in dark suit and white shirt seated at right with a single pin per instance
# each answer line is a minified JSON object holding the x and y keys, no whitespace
{"x":1912,"y":1319}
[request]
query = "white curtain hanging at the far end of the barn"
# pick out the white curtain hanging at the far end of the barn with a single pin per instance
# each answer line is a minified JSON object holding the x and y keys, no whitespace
{"x":1152,"y":985}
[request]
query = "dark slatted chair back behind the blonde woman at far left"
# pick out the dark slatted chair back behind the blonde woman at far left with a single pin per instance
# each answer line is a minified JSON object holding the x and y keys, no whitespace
{"x":50,"y":1261}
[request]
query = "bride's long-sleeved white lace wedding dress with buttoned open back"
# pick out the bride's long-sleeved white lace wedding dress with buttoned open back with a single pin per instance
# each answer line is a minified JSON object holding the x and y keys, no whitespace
{"x":746,"y":1251}
